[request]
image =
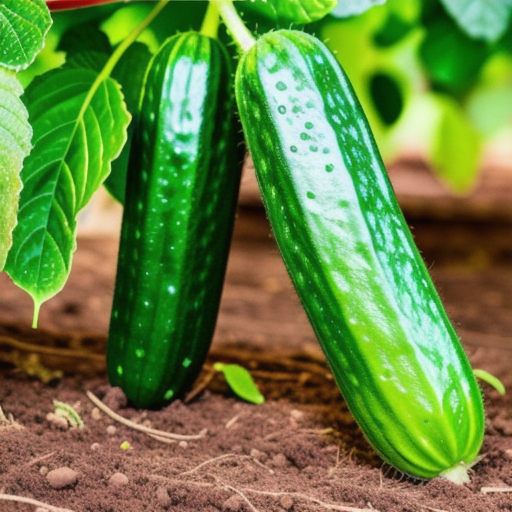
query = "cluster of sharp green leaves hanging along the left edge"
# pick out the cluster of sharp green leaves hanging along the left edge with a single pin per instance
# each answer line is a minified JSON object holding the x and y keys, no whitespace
{"x":52,"y":165}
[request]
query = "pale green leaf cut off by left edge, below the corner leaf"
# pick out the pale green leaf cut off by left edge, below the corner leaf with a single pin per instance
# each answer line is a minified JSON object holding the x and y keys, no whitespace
{"x":15,"y":145}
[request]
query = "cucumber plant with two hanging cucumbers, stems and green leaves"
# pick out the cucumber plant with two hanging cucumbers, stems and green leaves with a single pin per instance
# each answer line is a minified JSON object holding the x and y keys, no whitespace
{"x":394,"y":354}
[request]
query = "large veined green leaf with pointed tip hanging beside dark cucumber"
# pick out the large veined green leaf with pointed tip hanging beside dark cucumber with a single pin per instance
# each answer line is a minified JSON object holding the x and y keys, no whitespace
{"x":79,"y":121}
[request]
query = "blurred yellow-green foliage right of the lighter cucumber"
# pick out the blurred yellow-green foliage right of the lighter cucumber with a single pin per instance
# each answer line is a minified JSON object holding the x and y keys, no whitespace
{"x":436,"y":74}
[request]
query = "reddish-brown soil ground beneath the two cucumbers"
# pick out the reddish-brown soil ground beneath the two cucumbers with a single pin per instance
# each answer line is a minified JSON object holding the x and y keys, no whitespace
{"x":300,"y":451}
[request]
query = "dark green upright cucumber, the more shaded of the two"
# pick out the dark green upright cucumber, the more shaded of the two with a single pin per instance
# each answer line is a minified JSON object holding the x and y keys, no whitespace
{"x":182,"y":189}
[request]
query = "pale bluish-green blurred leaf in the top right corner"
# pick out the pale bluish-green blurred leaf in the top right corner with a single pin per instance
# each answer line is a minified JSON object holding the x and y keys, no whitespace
{"x":480,"y":19}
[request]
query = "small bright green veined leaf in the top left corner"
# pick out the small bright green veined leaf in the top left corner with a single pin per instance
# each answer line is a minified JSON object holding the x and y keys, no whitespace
{"x":23,"y":27}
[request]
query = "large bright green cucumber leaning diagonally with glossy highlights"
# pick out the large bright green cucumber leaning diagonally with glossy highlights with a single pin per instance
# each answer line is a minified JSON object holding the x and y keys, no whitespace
{"x":349,"y":252}
